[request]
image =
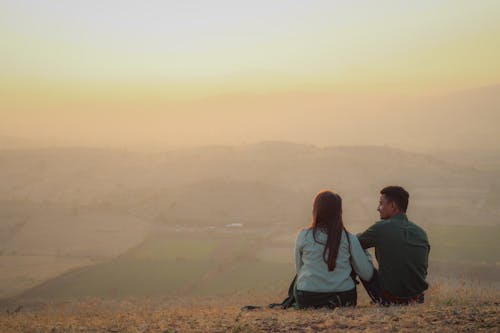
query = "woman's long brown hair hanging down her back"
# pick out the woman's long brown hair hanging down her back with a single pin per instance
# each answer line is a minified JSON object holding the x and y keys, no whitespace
{"x":327,"y":217}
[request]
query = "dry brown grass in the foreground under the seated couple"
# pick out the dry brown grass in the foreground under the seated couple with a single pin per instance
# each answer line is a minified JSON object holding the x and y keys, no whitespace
{"x":450,"y":307}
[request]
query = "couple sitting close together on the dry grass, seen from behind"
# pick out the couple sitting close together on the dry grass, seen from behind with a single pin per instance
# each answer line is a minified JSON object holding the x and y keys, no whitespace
{"x":328,"y":257}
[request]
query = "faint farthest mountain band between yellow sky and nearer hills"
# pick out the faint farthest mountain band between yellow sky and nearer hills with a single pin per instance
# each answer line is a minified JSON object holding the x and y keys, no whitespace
{"x":458,"y":120}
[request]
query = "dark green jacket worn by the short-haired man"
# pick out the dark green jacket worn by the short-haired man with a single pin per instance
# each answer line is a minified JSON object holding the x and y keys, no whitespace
{"x":402,"y":251}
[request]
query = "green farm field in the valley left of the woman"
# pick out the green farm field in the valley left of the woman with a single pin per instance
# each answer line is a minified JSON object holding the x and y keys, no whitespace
{"x":170,"y":266}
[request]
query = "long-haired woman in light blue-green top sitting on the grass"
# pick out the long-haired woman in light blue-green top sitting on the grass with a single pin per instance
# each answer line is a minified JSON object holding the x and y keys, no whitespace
{"x":325,"y":255}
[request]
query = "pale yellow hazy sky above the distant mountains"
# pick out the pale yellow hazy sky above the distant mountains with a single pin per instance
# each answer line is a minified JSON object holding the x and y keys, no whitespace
{"x":68,"y":67}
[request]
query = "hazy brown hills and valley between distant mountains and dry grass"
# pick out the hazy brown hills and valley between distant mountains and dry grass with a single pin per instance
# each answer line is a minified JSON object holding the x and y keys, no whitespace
{"x":93,"y":208}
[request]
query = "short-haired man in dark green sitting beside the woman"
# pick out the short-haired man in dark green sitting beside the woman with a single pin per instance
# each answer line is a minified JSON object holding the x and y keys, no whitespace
{"x":402,"y":251}
